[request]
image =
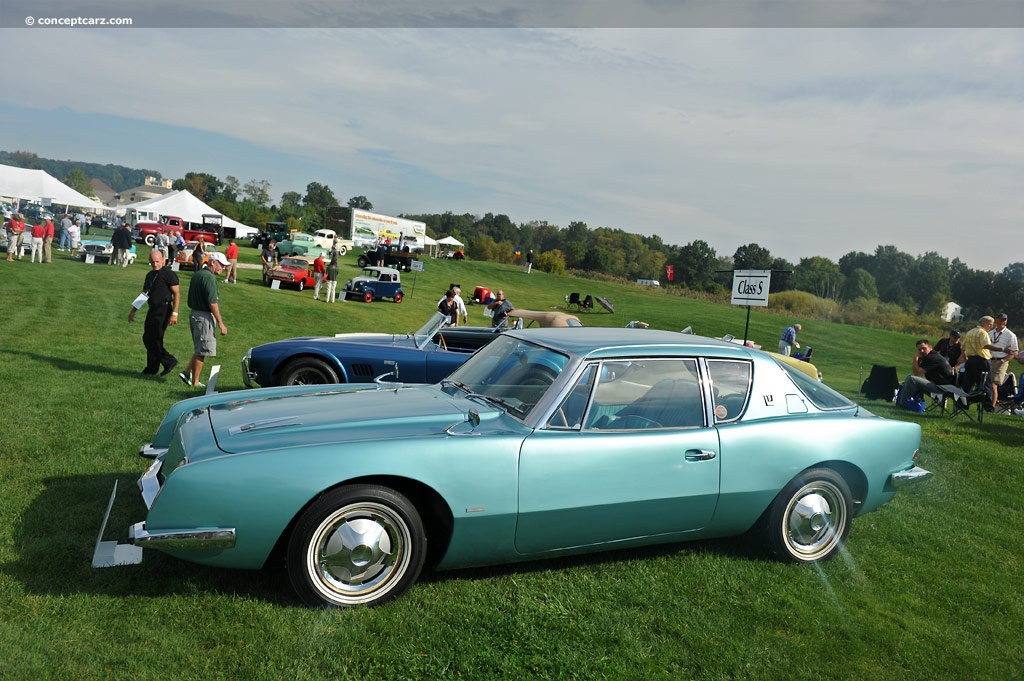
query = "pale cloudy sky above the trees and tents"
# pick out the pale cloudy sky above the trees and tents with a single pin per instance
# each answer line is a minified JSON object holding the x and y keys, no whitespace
{"x":814,"y":141}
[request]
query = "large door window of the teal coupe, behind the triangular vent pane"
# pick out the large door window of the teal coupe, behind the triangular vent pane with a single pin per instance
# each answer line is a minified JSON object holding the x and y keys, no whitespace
{"x":646,"y":395}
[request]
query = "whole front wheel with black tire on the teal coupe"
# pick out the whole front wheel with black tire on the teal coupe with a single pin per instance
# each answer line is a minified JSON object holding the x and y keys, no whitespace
{"x":358,"y":545}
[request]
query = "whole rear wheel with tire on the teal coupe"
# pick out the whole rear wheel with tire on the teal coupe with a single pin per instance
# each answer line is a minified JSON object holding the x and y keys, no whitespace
{"x":810,"y":519}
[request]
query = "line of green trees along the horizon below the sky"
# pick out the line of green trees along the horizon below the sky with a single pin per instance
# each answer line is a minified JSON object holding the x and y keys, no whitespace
{"x":887,"y":280}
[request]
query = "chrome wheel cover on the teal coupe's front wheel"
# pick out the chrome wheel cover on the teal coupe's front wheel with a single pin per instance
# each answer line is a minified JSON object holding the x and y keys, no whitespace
{"x":359,"y":554}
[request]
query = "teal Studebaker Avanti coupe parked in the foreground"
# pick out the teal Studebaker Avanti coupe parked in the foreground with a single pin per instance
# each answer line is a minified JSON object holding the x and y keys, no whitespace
{"x":544,"y":443}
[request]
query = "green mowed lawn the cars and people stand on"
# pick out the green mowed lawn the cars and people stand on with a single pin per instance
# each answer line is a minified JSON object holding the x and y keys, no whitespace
{"x":930,"y":587}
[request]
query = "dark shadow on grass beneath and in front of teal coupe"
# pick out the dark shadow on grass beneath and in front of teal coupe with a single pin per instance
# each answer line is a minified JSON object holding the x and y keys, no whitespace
{"x":56,"y":536}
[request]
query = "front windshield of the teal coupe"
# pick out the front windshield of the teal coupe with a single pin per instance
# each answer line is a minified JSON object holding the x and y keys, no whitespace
{"x":511,"y":373}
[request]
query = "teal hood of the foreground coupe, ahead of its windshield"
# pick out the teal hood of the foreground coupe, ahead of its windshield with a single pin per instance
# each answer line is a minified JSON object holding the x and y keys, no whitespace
{"x":324,"y":419}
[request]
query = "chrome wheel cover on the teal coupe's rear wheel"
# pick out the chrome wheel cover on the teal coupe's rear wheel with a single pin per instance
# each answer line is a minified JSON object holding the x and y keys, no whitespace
{"x":815,"y":521}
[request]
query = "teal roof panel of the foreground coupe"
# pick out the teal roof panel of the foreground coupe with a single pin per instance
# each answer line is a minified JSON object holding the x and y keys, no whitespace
{"x":598,"y":343}
